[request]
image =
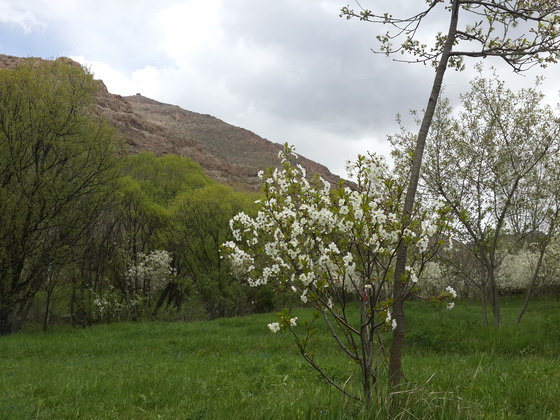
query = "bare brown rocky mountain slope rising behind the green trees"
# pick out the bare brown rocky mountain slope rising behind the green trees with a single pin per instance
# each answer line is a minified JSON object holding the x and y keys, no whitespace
{"x":229,"y":154}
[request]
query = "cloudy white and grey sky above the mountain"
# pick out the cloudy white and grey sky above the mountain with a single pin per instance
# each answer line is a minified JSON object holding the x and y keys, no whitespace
{"x":289,"y":70}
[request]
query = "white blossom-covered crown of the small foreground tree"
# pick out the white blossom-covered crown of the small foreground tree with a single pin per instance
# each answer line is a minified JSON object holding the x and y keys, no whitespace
{"x":318,"y":240}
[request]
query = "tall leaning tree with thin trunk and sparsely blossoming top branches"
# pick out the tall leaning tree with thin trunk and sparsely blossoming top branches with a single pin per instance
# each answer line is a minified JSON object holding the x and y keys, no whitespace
{"x":523,"y":33}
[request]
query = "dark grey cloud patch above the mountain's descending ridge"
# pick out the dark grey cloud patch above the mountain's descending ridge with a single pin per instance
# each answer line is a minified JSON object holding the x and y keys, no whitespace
{"x":328,"y":75}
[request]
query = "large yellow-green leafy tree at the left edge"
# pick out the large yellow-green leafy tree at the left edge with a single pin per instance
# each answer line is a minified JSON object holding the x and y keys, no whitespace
{"x":56,"y":158}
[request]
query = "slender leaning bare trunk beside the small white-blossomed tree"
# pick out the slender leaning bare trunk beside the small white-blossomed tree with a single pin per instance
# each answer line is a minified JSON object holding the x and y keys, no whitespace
{"x":395,"y":361}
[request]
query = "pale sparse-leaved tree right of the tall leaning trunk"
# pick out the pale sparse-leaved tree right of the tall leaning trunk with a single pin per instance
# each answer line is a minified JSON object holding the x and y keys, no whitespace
{"x":484,"y":164}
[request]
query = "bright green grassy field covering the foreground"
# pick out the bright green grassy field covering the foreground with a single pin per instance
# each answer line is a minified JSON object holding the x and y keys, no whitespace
{"x":236,"y":369}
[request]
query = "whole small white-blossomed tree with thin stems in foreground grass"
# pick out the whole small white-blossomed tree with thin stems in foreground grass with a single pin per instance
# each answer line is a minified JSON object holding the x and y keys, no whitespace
{"x":334,"y":248}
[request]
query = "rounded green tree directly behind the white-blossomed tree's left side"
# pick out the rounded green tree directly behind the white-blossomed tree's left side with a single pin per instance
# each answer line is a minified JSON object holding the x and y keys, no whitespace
{"x":201,"y":224}
